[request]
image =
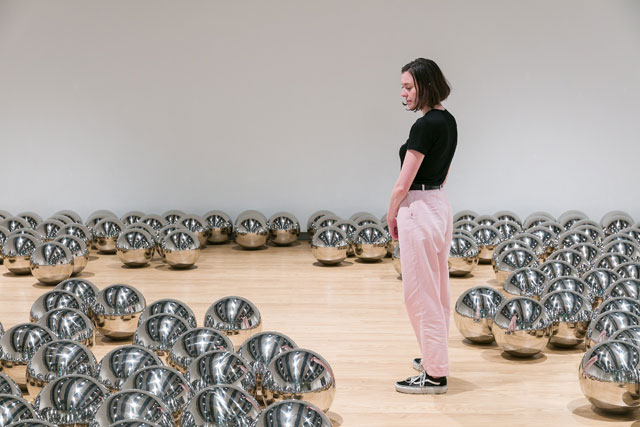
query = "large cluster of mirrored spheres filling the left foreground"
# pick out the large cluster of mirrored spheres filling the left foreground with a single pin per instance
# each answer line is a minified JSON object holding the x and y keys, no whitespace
{"x":172,"y":373}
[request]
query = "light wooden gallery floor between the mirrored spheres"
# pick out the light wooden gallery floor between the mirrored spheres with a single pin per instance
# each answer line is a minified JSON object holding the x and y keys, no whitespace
{"x":353,"y":315}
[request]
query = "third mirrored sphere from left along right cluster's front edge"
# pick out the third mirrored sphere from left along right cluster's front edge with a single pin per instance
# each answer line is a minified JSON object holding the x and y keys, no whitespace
{"x":570,"y":314}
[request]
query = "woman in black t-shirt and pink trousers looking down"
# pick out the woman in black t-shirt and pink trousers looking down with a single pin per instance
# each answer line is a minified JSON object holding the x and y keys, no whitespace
{"x":420,"y":218}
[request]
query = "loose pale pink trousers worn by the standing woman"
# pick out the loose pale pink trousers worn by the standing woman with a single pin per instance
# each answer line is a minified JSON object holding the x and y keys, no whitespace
{"x":424,"y":234}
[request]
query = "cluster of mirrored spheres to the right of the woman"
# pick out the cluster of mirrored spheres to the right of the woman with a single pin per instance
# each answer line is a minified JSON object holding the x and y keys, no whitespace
{"x":566,"y":282}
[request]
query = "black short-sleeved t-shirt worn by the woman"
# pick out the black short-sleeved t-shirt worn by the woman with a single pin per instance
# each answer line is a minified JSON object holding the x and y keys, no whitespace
{"x":436,"y":136}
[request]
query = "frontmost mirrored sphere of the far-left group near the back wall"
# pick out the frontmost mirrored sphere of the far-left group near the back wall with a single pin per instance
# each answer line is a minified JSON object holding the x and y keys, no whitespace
{"x":51,"y":263}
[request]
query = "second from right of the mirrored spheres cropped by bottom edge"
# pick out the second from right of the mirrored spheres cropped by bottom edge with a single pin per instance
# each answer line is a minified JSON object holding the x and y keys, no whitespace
{"x":221,"y":405}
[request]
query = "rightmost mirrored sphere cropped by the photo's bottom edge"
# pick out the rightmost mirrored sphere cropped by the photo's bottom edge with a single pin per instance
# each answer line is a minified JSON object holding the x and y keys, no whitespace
{"x":293,"y":413}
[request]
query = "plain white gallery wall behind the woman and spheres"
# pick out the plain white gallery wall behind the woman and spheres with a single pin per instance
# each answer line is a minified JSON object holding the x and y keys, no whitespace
{"x":295,"y":105}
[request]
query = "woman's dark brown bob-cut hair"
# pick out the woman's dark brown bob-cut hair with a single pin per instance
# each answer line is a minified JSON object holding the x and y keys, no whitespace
{"x":431,"y":85}
